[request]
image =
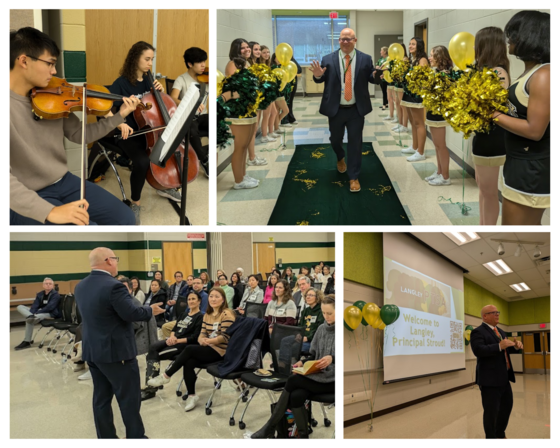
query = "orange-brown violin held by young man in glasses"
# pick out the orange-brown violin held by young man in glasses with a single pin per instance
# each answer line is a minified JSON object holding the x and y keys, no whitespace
{"x":60,"y":98}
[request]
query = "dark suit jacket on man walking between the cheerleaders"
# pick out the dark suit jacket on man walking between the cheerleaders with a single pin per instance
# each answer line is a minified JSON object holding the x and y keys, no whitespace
{"x":332,"y":79}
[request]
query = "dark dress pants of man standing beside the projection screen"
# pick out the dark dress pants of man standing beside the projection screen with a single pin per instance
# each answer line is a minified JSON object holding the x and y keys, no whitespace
{"x":497,"y":403}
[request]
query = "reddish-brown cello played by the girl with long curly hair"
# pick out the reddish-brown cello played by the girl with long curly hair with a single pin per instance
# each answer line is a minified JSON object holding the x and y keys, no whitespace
{"x":158,"y":117}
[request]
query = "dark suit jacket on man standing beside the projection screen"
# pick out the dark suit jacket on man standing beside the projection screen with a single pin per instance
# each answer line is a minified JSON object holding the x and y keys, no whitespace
{"x":491,"y":366}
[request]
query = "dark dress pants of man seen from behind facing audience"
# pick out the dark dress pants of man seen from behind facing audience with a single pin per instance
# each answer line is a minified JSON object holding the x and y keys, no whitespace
{"x":120,"y":379}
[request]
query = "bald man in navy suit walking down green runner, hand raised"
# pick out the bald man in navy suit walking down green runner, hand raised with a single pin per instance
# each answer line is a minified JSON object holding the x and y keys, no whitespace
{"x":346,"y":74}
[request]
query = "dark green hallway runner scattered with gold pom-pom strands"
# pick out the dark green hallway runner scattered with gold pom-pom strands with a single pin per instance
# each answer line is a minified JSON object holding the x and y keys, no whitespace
{"x":315,"y":193}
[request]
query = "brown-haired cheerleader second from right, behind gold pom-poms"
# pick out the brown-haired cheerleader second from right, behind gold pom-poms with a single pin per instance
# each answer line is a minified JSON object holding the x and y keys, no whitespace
{"x":489,"y":150}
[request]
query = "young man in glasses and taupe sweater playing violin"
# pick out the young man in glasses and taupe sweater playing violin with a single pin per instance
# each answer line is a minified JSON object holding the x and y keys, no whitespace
{"x":42,"y":191}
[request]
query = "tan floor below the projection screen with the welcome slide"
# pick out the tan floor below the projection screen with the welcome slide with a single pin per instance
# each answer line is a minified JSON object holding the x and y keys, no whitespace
{"x":458,"y":415}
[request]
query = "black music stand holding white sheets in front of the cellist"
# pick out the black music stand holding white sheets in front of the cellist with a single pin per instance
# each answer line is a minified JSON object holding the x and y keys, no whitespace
{"x":162,"y":146}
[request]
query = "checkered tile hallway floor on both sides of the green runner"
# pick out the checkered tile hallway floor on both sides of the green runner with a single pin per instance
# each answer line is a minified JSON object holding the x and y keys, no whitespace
{"x":424,"y":204}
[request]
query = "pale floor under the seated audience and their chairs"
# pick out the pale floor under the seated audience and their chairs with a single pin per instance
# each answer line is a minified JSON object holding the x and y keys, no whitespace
{"x":48,"y":402}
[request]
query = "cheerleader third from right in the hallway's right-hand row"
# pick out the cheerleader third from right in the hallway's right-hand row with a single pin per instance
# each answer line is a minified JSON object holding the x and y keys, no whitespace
{"x":440,"y":61}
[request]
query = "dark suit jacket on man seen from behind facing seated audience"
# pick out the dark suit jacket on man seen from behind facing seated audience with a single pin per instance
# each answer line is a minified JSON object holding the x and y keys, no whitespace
{"x":108,"y":311}
